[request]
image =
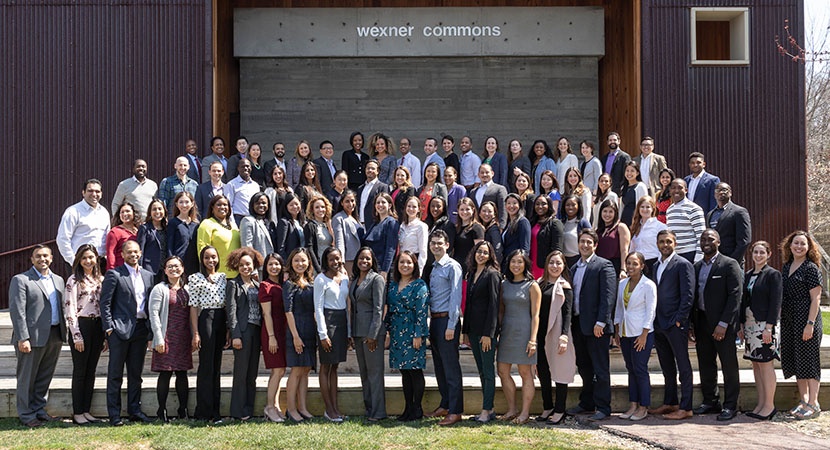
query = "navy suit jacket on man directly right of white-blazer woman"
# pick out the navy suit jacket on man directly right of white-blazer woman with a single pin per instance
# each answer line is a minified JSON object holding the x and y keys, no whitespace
{"x":675,"y":293}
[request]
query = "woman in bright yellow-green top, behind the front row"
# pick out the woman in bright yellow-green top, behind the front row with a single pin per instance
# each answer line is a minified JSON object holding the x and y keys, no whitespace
{"x":220,"y":232}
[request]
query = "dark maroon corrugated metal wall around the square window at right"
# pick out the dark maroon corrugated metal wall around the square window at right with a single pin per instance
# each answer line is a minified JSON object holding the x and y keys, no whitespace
{"x":748,"y":121}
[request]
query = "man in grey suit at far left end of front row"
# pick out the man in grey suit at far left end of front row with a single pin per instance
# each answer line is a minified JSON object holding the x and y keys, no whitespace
{"x":38,"y":332}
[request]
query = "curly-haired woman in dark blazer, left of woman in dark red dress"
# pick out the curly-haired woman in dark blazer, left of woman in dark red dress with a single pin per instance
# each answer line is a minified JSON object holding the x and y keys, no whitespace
{"x":244,"y":326}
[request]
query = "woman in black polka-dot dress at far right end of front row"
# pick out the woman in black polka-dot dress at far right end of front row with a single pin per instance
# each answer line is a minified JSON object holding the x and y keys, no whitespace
{"x":801,"y":320}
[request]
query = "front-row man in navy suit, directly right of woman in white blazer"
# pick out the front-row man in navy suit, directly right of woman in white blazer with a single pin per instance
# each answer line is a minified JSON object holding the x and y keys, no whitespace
{"x":675,"y":278}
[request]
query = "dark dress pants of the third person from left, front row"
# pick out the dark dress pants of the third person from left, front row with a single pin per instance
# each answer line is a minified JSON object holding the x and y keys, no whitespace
{"x":130,"y":352}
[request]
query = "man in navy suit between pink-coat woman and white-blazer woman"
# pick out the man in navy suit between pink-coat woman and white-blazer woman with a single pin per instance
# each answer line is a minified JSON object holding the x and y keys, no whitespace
{"x":595,"y":292}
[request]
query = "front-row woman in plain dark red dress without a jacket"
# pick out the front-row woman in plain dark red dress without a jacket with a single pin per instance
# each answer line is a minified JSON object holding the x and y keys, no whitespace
{"x":273,"y":333}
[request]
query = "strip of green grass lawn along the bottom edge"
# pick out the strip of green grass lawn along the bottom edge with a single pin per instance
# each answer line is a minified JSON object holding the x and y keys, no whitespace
{"x":352,"y":434}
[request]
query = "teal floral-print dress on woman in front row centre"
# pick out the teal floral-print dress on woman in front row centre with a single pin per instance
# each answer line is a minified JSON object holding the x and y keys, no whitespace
{"x":406,"y":319}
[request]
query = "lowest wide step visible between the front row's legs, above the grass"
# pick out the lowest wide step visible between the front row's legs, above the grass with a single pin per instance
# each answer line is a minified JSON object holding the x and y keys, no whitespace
{"x":351,"y":402}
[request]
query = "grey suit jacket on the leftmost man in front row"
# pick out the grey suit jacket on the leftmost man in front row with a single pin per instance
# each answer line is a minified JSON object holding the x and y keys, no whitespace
{"x":30,"y":310}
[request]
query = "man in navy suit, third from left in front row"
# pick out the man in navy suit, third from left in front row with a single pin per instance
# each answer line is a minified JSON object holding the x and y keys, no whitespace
{"x":124,"y":296}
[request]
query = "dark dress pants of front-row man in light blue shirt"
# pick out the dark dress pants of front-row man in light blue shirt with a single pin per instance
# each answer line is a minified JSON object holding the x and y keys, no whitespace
{"x":447,"y":366}
